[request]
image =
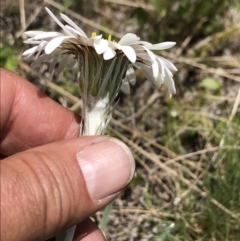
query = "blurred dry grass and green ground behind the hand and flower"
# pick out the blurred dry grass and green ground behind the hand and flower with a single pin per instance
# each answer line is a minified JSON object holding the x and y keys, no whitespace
{"x":187,"y":148}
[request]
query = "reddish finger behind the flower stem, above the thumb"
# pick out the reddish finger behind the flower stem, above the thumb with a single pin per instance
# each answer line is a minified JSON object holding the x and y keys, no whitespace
{"x":29,"y":118}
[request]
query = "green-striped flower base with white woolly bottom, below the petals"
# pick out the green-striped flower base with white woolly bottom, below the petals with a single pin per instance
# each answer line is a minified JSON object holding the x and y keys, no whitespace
{"x":100,"y":82}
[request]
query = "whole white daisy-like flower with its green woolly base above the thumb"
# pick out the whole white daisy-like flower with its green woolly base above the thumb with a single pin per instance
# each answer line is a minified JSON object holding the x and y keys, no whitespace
{"x":105,"y":66}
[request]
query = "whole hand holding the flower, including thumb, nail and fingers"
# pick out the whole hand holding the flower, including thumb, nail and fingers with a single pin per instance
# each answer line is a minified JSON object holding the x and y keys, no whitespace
{"x":50,"y":179}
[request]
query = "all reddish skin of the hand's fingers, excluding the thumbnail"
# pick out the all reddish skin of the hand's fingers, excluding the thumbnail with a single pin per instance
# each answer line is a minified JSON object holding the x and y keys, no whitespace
{"x":32,"y":208}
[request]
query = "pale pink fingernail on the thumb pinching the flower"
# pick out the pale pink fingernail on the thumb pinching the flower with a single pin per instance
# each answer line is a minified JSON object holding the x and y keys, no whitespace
{"x":107,"y":167}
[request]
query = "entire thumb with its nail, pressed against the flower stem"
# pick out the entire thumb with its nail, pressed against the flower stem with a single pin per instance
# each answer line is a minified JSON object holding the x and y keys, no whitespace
{"x":52,"y":187}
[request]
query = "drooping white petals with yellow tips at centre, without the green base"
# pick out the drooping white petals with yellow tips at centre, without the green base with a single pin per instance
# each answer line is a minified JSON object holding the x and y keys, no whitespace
{"x":138,"y":53}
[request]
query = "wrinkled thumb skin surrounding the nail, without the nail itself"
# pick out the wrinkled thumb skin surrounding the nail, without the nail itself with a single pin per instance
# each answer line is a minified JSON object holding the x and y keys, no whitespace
{"x":43,"y":191}
